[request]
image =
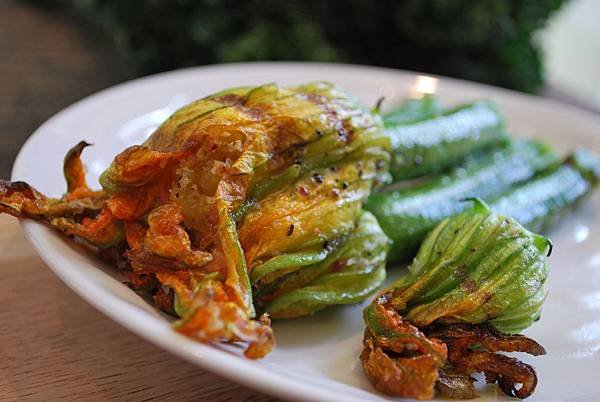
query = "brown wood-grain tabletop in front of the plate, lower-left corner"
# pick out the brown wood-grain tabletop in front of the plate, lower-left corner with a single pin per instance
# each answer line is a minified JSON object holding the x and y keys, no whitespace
{"x":53,"y":345}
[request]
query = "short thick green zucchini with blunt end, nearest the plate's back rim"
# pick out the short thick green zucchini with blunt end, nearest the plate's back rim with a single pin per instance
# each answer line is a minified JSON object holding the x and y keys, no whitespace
{"x":436,"y":144}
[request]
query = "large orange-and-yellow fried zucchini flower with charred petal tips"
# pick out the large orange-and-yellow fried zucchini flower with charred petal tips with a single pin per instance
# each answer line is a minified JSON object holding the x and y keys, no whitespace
{"x":253,"y":191}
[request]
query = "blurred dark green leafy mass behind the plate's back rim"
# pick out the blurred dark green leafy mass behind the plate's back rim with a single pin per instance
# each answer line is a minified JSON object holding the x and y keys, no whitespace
{"x":483,"y":40}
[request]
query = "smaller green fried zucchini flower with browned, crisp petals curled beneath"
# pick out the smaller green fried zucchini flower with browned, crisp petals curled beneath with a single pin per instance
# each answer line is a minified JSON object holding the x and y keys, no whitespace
{"x":475,"y":275}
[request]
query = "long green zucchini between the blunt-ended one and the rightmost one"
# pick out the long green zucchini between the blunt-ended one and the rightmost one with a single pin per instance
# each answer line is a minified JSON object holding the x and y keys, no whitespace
{"x":407,"y":215}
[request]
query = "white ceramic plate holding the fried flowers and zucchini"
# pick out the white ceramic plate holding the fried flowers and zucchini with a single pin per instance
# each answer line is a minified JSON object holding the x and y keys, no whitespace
{"x":316,"y":357}
